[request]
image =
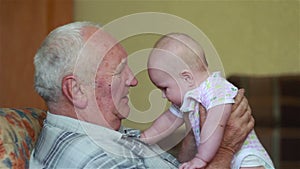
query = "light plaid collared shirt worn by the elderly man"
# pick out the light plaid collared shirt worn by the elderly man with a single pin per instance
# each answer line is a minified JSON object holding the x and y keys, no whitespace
{"x":69,"y":143}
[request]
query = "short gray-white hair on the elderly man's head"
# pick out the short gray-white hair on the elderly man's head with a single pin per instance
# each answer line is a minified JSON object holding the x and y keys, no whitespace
{"x":57,"y":57}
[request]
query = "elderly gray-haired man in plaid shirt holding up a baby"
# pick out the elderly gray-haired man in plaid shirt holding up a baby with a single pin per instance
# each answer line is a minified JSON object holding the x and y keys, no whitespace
{"x":82,"y":74}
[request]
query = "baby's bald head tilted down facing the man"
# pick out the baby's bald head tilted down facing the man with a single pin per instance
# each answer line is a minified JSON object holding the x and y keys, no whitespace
{"x":176,"y":65}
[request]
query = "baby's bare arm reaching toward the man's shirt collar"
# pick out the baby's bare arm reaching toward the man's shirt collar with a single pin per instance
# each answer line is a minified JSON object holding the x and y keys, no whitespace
{"x":163,"y":126}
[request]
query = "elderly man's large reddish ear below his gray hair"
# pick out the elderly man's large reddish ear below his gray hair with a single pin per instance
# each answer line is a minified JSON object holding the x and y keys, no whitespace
{"x":74,"y":91}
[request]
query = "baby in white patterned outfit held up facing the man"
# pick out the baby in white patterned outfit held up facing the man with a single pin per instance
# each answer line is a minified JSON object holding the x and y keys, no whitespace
{"x":177,"y":66}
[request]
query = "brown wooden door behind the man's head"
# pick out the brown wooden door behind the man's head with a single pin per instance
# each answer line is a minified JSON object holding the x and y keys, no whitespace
{"x":23,"y":26}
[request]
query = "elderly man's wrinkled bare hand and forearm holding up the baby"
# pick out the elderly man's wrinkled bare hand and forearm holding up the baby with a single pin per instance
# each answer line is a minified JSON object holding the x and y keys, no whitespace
{"x":239,"y":124}
